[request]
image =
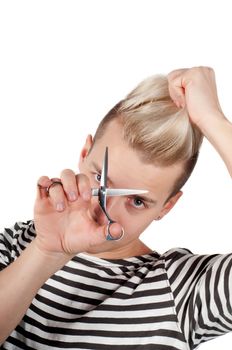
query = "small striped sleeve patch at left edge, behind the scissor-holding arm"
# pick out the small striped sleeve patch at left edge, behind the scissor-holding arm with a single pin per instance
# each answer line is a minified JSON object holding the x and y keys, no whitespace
{"x":13,"y":241}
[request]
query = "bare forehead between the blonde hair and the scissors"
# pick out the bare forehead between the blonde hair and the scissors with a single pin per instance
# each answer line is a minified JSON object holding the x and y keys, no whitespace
{"x":126,"y":169}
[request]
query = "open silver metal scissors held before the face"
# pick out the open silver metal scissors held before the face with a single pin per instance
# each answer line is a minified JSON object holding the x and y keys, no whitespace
{"x":102,"y":192}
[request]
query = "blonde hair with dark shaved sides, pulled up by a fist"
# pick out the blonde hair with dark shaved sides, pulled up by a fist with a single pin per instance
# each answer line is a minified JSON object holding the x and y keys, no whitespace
{"x":153,"y":125}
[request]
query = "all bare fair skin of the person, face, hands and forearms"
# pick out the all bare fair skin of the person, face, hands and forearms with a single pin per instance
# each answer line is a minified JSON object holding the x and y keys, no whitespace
{"x":80,"y":226}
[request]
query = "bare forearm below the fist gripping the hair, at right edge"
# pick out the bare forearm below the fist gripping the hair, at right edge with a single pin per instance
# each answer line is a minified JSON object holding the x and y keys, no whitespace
{"x":219,"y":134}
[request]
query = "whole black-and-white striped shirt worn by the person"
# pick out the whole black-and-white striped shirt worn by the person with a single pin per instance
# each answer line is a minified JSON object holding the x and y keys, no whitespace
{"x":176,"y":300}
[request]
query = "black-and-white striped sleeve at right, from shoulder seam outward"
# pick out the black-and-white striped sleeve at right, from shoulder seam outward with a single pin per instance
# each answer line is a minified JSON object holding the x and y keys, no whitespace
{"x":202,"y":292}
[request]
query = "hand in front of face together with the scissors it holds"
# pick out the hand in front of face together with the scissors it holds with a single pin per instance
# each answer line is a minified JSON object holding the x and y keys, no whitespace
{"x":73,"y":224}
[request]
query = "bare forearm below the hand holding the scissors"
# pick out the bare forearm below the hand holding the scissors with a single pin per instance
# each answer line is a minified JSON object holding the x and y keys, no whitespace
{"x":20,"y":282}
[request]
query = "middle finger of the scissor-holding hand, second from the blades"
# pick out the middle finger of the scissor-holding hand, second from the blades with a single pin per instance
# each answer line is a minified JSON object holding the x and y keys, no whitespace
{"x":69,"y":182}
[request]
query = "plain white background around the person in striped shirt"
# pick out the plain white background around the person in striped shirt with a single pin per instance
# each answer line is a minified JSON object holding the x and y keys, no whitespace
{"x":64,"y":64}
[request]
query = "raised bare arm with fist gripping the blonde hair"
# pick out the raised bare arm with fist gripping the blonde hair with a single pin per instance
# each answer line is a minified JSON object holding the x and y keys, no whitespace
{"x":195,"y":89}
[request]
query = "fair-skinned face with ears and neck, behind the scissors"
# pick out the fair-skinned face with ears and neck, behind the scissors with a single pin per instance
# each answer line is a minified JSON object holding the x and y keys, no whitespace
{"x":133,"y":214}
